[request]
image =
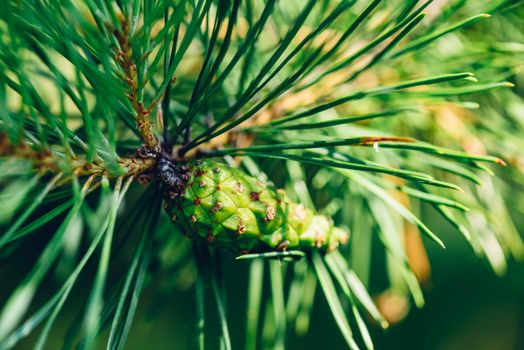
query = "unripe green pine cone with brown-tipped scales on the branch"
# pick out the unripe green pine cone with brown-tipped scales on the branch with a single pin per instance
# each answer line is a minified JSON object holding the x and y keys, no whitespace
{"x":227,"y":207}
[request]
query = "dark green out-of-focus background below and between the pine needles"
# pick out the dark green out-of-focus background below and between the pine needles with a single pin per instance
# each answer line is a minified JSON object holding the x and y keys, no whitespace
{"x":467,"y":307}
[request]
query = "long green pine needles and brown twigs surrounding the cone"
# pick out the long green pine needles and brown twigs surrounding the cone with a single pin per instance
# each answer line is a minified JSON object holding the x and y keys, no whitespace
{"x":366,"y":112}
